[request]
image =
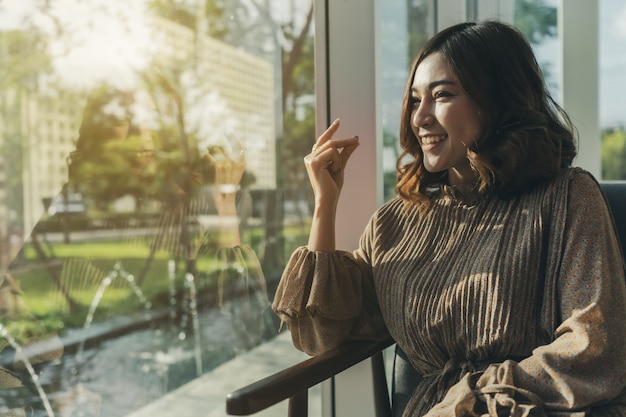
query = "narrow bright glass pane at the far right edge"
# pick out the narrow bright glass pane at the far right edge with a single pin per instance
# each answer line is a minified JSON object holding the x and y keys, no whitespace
{"x":613,"y":88}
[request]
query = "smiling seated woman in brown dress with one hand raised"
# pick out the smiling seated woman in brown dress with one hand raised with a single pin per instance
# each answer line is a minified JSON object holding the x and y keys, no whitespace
{"x":497,"y":268}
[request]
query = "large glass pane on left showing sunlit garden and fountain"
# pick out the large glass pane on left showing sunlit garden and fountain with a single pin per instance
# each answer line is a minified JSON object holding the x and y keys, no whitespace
{"x":151,"y":187}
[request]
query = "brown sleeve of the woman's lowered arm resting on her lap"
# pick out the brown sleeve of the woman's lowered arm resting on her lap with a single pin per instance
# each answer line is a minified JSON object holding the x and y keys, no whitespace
{"x":584,"y":368}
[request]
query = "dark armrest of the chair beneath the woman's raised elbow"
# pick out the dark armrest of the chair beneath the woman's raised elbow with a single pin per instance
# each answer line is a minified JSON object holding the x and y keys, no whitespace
{"x":300,"y":377}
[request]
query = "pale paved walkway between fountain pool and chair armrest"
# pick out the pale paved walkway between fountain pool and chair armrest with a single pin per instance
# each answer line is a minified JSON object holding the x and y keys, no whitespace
{"x":206,"y":396}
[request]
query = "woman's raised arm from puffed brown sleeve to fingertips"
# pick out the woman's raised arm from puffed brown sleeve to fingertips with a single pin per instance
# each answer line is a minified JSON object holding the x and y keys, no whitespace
{"x":327,"y":296}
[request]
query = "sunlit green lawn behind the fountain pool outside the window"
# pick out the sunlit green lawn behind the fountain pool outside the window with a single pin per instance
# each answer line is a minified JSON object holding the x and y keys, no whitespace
{"x":82,"y":268}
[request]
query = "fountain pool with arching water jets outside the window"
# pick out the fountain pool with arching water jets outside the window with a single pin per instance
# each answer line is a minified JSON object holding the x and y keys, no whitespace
{"x":112,"y":367}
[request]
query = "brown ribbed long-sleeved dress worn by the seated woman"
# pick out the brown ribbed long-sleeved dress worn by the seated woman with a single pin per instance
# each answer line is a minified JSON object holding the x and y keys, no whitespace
{"x":513,"y":307}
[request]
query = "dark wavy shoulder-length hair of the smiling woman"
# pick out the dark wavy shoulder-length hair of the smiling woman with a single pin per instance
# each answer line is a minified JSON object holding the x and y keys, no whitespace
{"x":527,"y":137}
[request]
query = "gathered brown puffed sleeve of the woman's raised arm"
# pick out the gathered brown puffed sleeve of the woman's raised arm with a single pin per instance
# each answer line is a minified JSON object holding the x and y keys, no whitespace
{"x":326,"y":298}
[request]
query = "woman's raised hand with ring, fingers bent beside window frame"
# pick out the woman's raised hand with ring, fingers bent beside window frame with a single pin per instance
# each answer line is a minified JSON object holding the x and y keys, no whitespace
{"x":326,"y":164}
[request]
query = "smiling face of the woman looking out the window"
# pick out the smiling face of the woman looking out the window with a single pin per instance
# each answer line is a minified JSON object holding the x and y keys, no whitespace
{"x":444,"y":119}
